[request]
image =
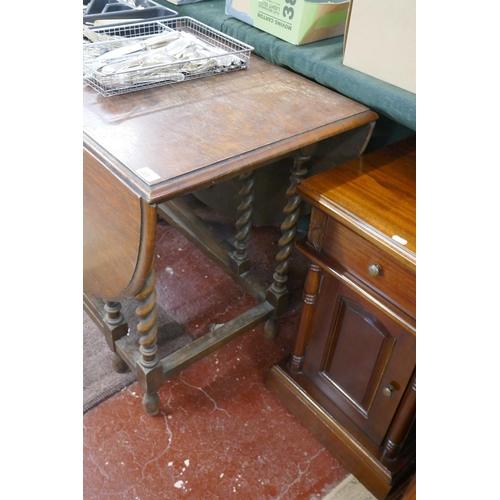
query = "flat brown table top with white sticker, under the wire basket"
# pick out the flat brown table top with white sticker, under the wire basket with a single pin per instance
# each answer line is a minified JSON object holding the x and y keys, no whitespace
{"x":167,"y":141}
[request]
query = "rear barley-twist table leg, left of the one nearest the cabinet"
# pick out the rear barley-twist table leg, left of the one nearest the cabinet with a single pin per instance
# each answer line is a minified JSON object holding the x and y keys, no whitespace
{"x":239,"y":258}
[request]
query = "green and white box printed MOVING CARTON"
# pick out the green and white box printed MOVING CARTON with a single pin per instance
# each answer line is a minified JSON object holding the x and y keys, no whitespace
{"x":295,"y":21}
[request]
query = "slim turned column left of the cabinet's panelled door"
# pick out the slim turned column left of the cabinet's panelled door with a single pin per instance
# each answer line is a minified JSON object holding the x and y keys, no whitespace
{"x":311,"y":287}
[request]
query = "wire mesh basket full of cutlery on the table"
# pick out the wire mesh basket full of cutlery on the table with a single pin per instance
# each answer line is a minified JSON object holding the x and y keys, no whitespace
{"x":129,"y":57}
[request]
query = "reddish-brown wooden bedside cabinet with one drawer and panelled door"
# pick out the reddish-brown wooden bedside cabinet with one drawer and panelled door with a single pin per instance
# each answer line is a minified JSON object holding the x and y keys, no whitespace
{"x":351,"y":379}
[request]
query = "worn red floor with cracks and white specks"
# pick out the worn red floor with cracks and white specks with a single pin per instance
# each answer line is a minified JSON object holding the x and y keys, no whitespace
{"x":220,"y":433}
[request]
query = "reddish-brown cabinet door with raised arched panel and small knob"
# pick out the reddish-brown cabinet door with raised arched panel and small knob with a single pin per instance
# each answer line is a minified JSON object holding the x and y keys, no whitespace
{"x":358,"y":355}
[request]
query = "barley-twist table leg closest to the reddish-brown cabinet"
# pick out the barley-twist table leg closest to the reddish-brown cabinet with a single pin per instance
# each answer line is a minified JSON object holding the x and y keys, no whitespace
{"x":277,"y":293}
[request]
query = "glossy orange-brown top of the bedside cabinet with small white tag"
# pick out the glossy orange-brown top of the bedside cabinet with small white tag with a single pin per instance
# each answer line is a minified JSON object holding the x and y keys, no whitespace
{"x":375,"y":195}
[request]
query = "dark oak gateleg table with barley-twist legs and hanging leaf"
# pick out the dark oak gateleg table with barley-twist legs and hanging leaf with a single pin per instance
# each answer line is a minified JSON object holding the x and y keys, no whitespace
{"x":143,"y":151}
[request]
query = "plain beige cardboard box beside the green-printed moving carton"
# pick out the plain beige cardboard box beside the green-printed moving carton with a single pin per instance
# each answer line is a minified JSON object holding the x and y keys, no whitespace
{"x":380,"y":40}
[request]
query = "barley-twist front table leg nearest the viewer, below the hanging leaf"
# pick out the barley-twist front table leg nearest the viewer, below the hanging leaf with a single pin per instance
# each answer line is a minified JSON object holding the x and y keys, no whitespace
{"x":149,"y":370}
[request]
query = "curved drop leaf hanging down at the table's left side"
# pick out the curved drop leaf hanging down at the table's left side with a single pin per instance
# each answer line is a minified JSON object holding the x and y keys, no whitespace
{"x":119,"y":233}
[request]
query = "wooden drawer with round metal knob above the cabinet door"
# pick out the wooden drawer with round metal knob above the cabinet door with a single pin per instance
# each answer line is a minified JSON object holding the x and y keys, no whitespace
{"x":370,"y":264}
